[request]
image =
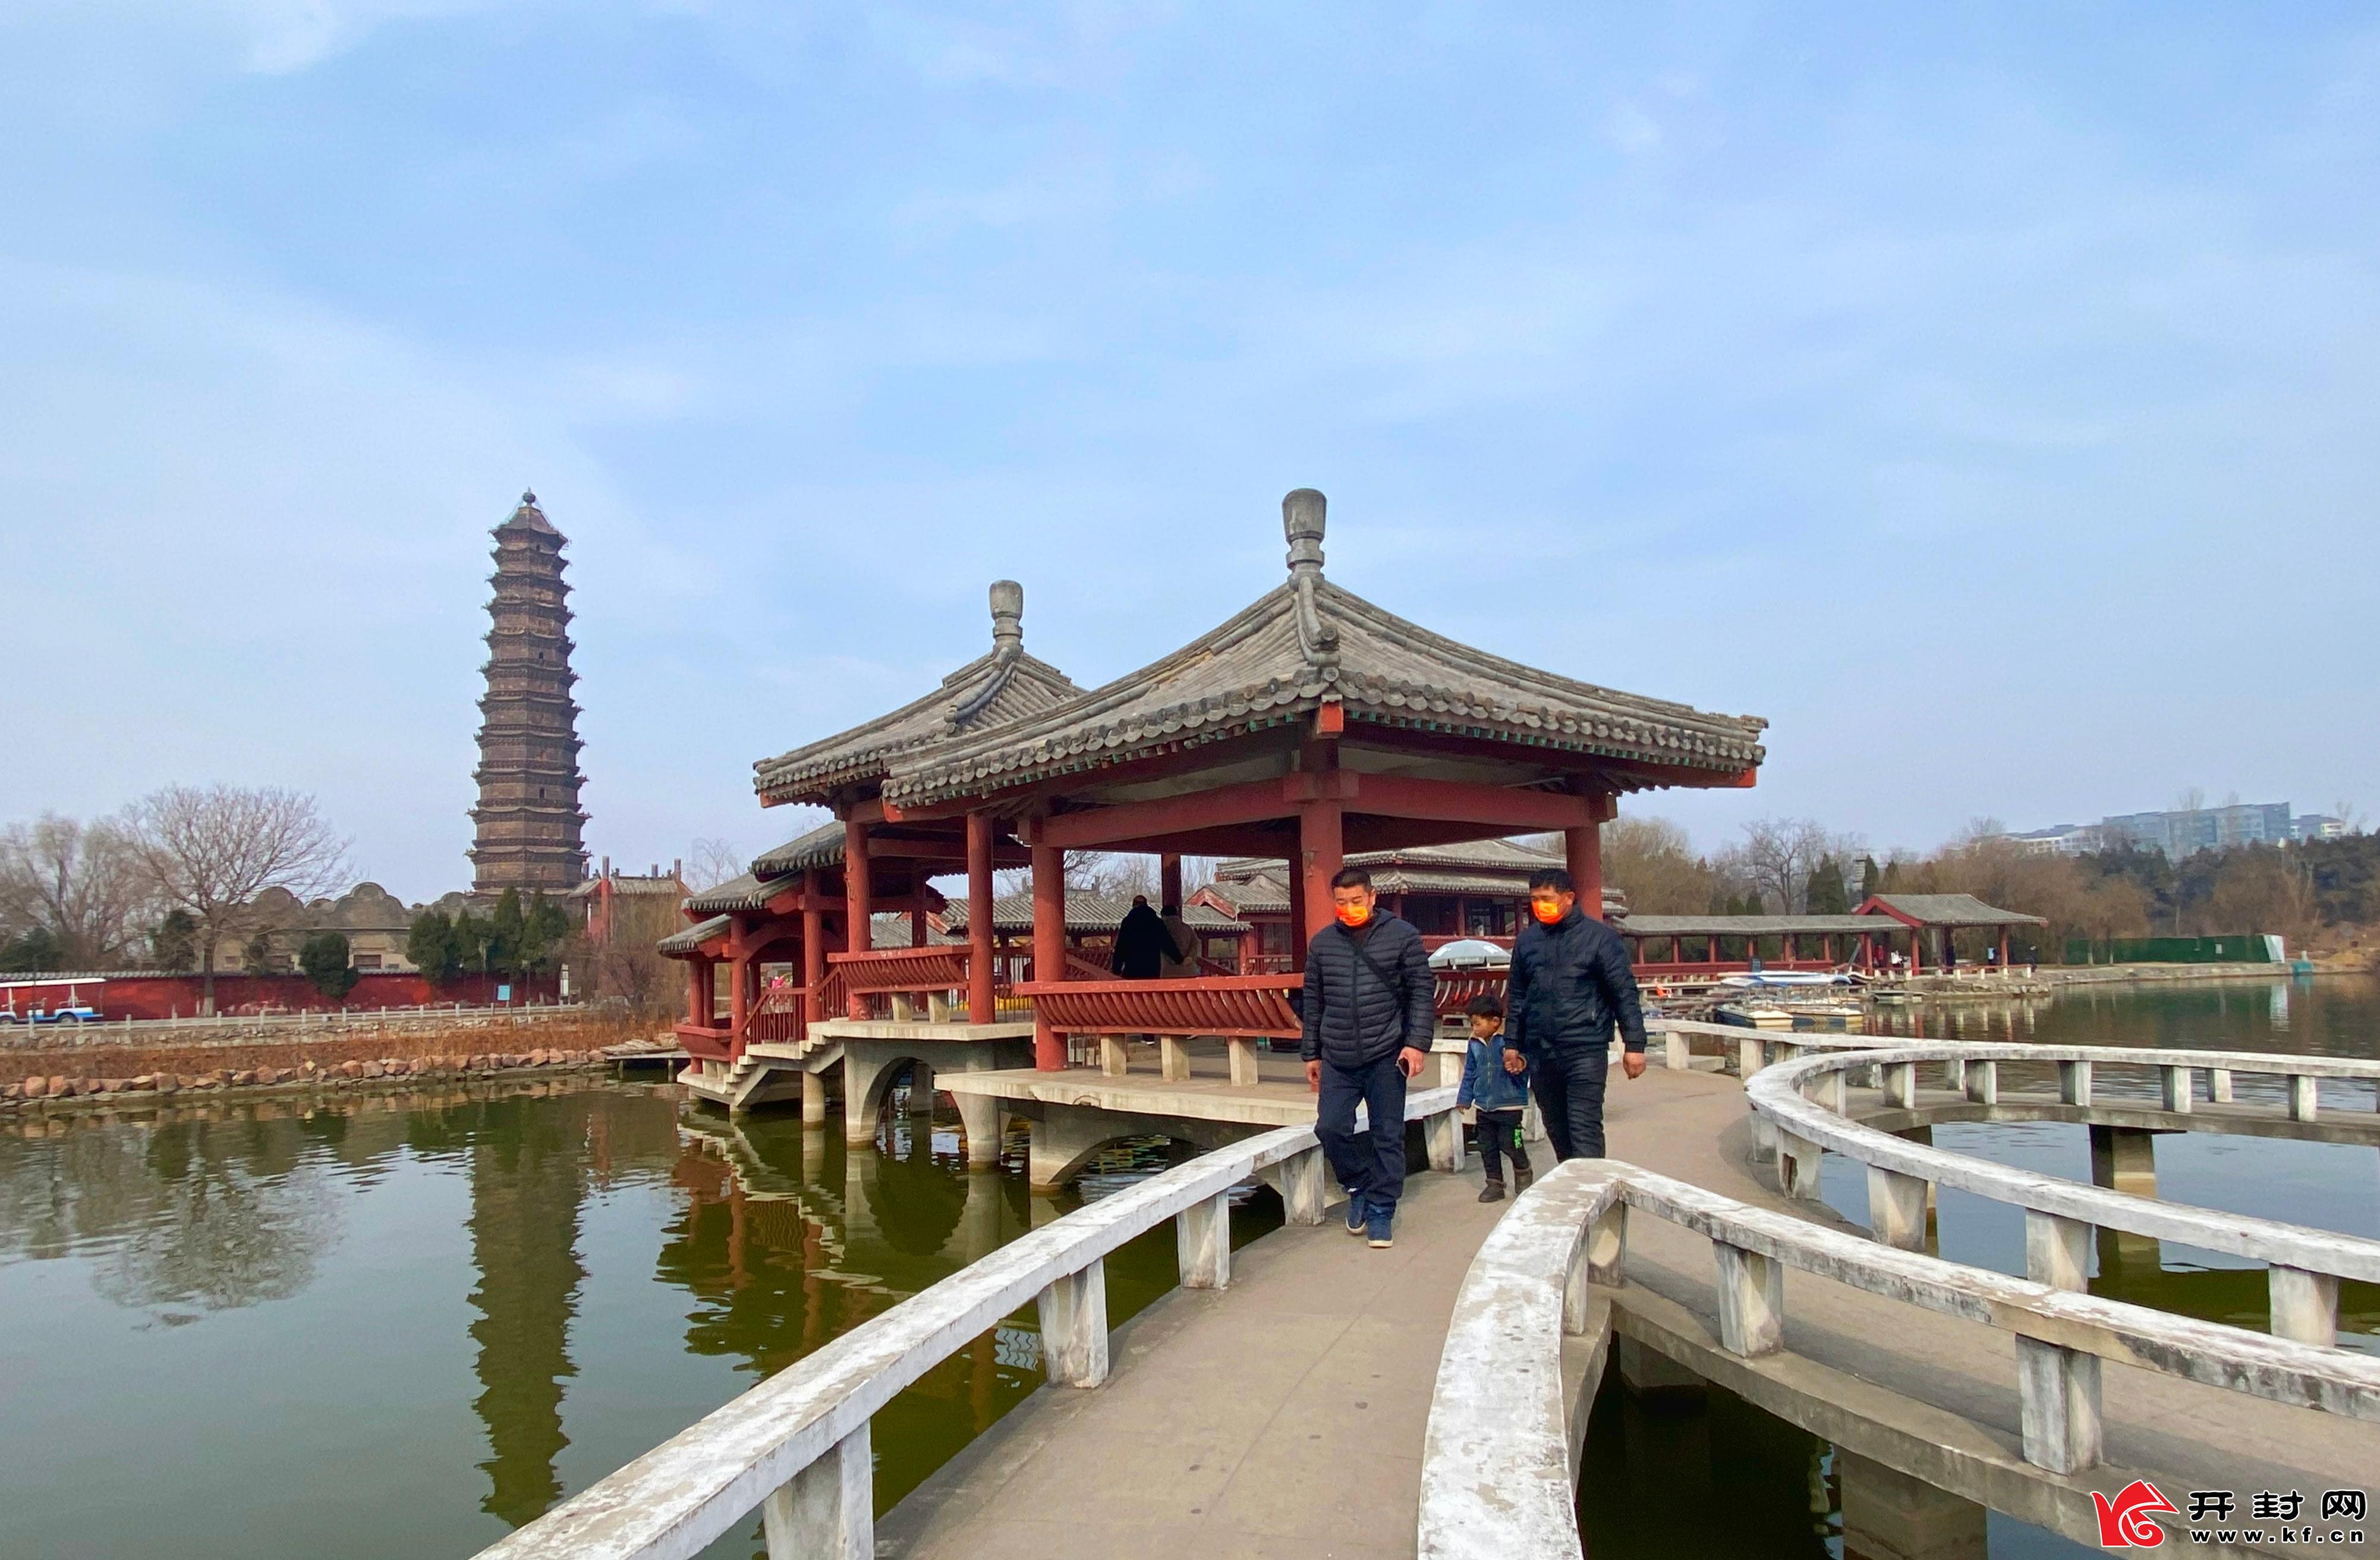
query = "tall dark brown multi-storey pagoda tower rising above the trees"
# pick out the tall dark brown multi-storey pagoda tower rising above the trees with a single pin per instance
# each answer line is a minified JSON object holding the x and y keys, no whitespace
{"x":527,"y":825}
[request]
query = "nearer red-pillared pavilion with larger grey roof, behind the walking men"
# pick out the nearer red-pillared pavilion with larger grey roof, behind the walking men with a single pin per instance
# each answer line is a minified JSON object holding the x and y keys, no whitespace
{"x":1303,"y":728}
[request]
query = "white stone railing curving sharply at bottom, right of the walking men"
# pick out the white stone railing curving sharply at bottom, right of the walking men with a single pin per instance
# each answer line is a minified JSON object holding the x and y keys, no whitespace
{"x":1498,"y":1468}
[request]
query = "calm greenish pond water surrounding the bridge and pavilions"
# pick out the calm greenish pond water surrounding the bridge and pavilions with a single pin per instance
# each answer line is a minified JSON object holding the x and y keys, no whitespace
{"x":408,"y":1325}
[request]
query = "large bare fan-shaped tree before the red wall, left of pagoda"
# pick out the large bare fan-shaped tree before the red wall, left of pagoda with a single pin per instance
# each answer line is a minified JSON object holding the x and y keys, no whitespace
{"x":215,"y":849}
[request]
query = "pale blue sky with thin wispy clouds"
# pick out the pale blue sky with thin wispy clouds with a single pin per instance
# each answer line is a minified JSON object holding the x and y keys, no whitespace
{"x":1988,"y":397}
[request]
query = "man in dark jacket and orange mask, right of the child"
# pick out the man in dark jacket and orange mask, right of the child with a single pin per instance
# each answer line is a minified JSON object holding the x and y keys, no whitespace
{"x":1570,"y":987}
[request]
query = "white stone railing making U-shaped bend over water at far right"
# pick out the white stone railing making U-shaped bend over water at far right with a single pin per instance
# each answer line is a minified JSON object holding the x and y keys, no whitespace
{"x":2060,"y":1216}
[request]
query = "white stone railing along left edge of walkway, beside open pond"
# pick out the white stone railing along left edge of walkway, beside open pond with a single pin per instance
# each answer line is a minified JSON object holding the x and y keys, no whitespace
{"x":796,"y":1447}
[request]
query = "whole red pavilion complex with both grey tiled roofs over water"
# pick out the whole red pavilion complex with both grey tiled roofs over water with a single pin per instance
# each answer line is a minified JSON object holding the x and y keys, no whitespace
{"x":1305,"y":728}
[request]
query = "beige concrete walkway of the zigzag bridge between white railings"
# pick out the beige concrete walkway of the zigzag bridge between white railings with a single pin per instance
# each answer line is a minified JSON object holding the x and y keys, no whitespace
{"x":1286,"y":1414}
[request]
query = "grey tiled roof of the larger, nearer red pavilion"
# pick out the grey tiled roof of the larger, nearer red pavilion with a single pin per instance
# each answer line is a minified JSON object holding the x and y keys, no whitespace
{"x":1308,"y":644}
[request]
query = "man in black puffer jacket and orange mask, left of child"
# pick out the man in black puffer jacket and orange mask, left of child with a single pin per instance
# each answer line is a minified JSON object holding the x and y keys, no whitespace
{"x":1370,"y":1011}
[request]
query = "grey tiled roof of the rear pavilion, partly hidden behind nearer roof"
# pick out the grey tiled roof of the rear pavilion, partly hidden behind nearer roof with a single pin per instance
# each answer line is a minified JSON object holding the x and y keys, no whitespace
{"x":994,"y":689}
